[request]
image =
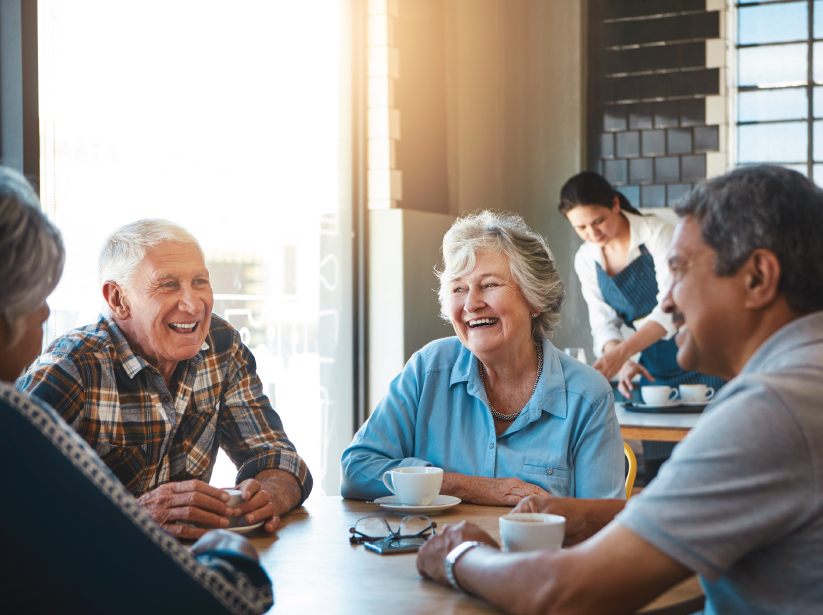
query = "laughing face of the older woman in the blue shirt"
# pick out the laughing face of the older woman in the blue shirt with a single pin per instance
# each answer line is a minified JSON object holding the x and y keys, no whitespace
{"x":488,"y":312}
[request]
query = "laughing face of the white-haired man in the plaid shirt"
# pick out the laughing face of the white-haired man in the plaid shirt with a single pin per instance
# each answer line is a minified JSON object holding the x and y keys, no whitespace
{"x":166,"y":312}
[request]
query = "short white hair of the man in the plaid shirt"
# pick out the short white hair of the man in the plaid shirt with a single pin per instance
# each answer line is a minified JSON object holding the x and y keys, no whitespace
{"x":124,"y":250}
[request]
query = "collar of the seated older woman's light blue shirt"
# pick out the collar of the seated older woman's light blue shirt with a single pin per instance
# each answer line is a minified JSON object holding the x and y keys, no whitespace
{"x":551,"y":388}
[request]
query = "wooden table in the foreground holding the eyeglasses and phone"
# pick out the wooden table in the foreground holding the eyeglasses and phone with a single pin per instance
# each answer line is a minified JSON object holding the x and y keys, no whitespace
{"x":316,"y":571}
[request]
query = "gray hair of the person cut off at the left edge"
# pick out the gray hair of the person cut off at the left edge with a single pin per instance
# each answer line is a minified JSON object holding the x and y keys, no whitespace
{"x":31,"y":249}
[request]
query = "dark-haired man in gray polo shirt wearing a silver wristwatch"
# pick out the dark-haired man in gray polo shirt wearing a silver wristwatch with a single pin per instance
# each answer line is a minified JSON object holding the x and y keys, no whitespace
{"x":740,"y":502}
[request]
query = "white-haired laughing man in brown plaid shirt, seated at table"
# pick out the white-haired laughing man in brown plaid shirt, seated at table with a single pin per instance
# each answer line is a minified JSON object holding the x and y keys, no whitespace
{"x":159,"y":383}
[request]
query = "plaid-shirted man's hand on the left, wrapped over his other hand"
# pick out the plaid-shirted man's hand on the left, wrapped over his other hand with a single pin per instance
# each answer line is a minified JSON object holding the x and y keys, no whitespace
{"x":175,"y":505}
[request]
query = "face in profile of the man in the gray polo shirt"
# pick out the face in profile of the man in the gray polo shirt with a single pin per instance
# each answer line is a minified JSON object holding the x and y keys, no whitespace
{"x":710,"y":306}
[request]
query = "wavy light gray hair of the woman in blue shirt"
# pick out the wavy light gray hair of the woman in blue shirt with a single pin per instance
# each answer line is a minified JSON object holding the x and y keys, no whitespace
{"x":531,"y":263}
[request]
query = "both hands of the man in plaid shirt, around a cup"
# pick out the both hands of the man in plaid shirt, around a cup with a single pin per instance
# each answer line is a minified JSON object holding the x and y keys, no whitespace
{"x":176,"y":505}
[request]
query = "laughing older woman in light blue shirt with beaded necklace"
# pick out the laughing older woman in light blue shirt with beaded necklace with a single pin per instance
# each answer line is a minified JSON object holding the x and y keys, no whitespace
{"x":497,"y":407}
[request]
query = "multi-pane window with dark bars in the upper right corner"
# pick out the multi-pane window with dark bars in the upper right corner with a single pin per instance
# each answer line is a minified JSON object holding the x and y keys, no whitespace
{"x":779,"y":102}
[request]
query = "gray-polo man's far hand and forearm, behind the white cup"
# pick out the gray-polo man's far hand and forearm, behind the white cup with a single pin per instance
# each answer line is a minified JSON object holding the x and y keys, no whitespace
{"x":584,"y":517}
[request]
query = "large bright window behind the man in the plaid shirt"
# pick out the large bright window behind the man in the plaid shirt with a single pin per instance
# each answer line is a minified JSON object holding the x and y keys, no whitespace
{"x":232,"y":120}
